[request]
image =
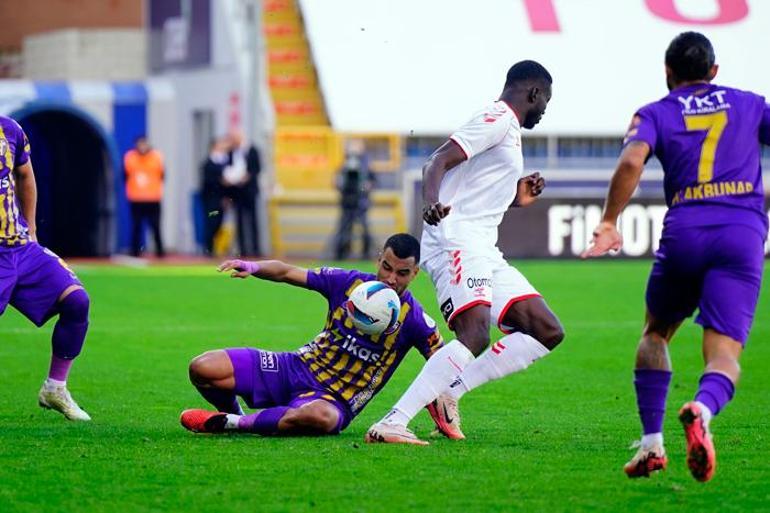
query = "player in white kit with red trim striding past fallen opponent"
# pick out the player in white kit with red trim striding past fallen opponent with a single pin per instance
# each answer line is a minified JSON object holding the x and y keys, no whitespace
{"x":468,"y":184}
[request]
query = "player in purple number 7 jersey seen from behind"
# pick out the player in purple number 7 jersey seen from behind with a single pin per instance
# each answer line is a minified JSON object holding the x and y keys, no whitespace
{"x":712,"y":248}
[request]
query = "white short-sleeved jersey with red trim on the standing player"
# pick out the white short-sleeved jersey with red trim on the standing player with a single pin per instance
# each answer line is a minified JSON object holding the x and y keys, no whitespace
{"x":481,"y":188}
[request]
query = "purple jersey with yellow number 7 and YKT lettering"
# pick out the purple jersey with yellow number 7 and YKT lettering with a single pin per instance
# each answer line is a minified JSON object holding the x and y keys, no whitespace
{"x":707,"y":137}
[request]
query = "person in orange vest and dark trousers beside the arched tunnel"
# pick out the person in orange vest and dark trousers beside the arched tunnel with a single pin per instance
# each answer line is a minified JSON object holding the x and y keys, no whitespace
{"x":144,"y":189}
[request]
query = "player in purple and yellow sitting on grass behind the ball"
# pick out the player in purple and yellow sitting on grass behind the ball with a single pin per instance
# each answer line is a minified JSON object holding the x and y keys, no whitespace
{"x":320,"y":388}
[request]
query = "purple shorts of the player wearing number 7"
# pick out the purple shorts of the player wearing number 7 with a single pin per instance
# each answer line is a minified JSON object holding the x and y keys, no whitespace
{"x":717,"y":269}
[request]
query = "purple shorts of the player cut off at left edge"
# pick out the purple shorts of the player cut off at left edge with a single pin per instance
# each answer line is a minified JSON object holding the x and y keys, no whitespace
{"x":31,"y":279}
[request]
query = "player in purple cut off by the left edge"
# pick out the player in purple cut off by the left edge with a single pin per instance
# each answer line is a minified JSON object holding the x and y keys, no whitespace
{"x":33,"y":279}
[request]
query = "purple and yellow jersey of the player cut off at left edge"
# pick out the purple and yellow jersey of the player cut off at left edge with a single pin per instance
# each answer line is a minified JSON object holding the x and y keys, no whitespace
{"x":14,"y":152}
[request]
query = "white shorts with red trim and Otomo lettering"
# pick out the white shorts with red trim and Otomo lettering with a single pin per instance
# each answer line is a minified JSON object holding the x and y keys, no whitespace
{"x":464,"y":279}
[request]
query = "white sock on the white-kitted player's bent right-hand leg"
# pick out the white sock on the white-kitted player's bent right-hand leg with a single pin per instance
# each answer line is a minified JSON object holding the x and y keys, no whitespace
{"x":512,"y":353}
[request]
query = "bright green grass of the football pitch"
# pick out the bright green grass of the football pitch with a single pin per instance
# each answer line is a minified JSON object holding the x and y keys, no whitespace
{"x":551,"y":439}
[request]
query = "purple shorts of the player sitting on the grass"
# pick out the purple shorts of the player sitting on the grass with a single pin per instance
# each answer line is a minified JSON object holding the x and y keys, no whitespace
{"x":265,"y":379}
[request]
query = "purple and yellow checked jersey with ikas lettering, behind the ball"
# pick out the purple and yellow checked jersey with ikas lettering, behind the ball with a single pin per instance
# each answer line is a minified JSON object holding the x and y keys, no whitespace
{"x":350,"y":364}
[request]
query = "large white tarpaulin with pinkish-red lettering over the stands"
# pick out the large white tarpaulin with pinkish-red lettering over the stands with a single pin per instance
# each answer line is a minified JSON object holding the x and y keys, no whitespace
{"x":425,"y":66}
